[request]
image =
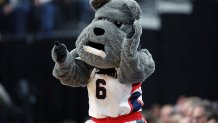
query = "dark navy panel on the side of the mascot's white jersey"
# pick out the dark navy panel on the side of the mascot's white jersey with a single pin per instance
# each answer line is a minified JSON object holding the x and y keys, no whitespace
{"x":133,"y":100}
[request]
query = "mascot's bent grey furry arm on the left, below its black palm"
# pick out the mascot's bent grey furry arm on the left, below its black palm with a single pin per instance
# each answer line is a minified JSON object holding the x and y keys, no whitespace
{"x":72,"y":71}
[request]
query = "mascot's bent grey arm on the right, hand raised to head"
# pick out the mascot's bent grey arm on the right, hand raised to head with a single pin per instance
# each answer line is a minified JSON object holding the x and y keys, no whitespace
{"x":136,"y":65}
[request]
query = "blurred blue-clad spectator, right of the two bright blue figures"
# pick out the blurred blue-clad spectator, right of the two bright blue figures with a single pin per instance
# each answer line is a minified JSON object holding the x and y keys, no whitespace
{"x":46,"y":12}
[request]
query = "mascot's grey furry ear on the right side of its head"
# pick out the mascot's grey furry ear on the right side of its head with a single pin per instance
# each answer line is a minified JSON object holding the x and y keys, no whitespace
{"x":134,"y":8}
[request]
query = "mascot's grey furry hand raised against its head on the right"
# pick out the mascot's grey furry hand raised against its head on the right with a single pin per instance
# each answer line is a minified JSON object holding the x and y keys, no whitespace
{"x":131,"y":43}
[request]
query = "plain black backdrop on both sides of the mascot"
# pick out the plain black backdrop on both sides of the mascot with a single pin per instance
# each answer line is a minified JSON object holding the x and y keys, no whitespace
{"x":184,"y":50}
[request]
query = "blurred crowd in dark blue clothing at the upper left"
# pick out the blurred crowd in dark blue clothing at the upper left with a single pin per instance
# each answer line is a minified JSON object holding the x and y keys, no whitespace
{"x":22,"y":17}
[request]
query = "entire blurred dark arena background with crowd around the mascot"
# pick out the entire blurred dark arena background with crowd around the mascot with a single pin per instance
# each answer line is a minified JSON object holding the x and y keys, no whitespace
{"x":181,"y":35}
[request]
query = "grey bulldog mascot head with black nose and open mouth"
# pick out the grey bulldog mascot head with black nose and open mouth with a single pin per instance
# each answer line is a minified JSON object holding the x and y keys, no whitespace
{"x":100,"y":43}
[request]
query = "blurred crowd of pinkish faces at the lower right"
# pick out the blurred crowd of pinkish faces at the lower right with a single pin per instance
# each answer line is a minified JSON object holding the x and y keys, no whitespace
{"x":186,"y":110}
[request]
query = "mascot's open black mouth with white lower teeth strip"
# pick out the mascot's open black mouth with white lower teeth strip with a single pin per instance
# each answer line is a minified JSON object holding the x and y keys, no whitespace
{"x":95,"y":49}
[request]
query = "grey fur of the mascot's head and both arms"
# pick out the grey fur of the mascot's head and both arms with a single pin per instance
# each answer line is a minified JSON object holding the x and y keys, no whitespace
{"x":116,"y":28}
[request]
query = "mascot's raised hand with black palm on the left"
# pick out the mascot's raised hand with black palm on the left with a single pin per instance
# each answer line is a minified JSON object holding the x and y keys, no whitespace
{"x":59,"y":52}
